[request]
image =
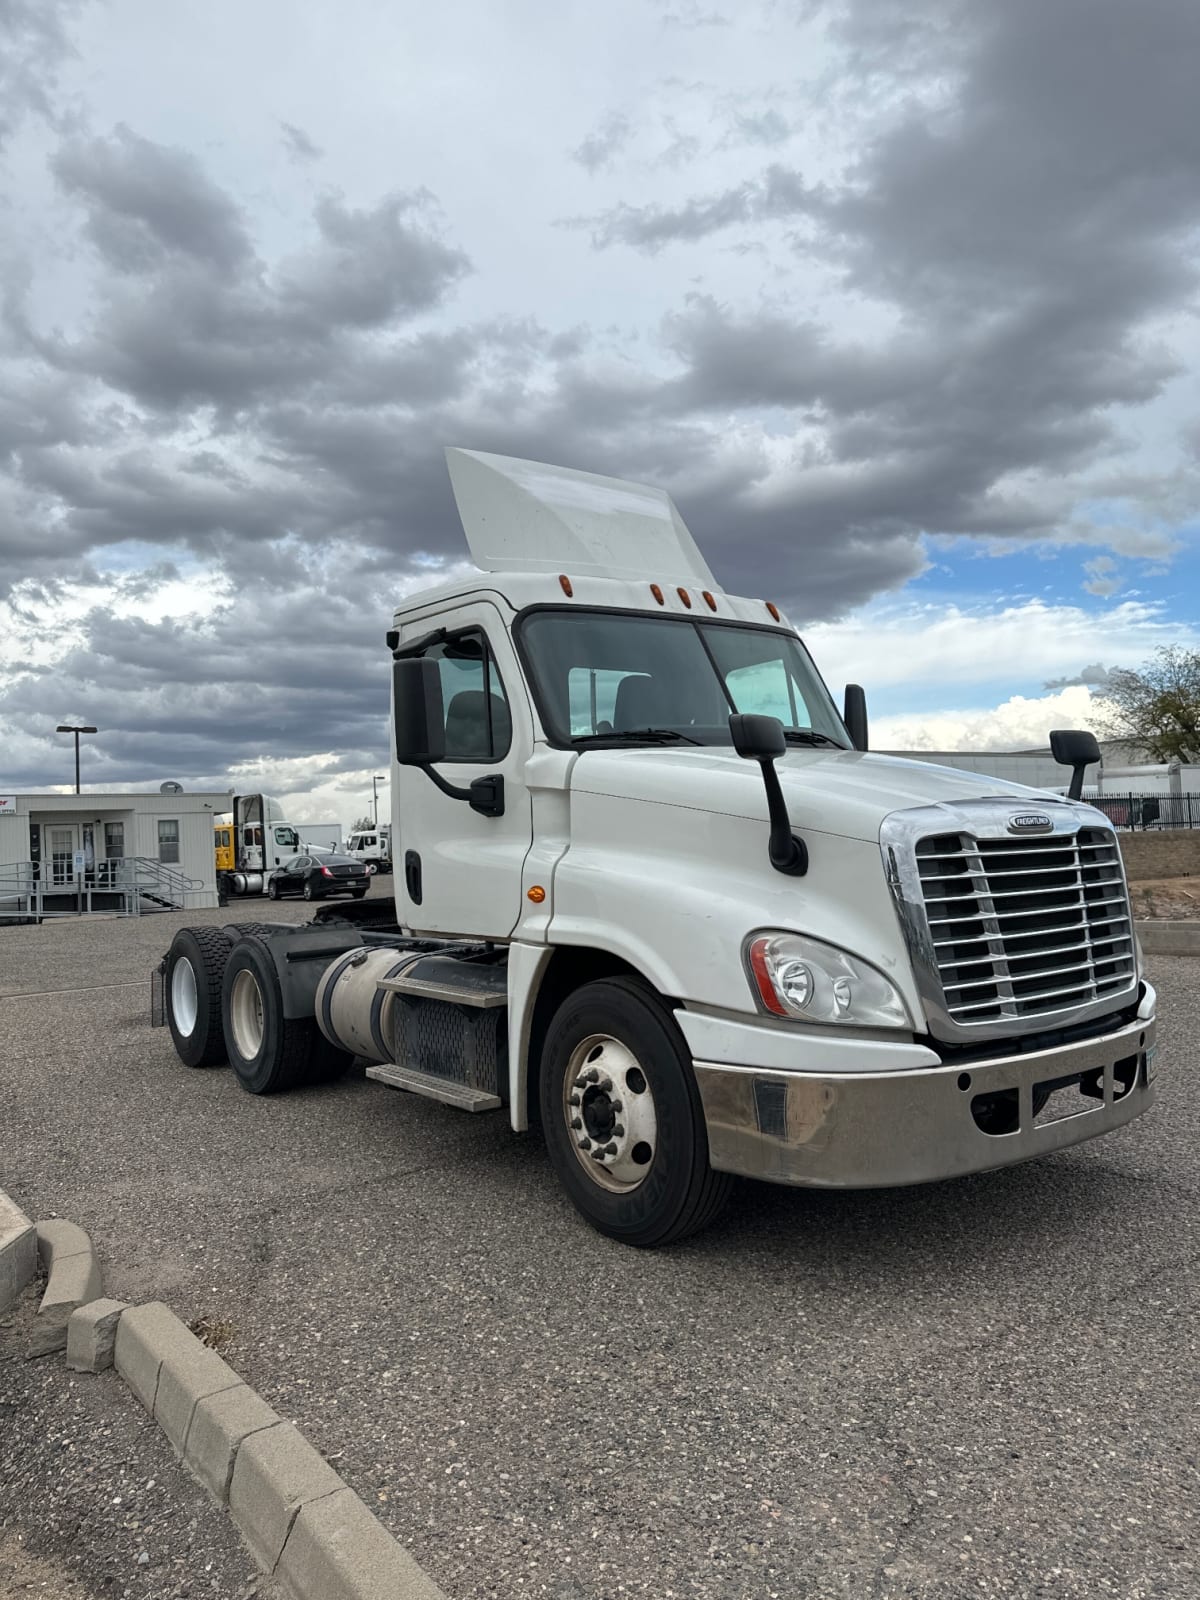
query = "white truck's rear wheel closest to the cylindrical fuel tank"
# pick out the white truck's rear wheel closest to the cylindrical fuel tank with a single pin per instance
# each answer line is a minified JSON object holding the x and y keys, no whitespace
{"x":268,"y":1052}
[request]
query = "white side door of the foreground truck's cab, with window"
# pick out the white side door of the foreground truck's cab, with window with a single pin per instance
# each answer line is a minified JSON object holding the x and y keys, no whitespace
{"x":458,"y":871}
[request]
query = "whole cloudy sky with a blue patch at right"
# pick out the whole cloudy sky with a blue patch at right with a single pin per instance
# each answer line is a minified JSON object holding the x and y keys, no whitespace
{"x":902,"y":313}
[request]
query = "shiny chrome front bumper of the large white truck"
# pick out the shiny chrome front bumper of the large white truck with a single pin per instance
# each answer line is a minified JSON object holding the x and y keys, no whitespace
{"x":863,"y":1130}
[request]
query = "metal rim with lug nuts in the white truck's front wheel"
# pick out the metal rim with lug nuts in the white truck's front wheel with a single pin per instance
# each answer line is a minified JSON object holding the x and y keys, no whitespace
{"x":609,"y":1110}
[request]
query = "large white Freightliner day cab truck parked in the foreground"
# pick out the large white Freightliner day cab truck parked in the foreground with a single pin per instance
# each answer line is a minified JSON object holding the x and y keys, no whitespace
{"x":655,"y":897}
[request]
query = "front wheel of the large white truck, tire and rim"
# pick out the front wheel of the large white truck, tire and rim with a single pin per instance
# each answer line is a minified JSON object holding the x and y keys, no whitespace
{"x":623,"y":1118}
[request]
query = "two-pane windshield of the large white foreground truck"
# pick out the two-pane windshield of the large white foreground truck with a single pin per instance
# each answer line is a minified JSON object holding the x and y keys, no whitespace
{"x":609,"y":676}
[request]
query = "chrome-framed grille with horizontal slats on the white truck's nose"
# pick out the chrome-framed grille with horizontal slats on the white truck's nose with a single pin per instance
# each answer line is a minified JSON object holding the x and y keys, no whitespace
{"x":1026,"y":927}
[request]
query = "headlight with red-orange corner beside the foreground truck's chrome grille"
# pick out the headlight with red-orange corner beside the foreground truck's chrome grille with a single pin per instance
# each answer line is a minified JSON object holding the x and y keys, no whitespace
{"x":818,"y":983}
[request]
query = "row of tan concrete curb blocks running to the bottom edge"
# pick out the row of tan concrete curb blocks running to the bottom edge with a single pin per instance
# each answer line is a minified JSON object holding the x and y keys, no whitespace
{"x":303,"y":1524}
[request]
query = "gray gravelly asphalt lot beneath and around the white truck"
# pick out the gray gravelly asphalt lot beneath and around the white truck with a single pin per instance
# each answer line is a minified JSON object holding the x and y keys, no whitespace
{"x":982,"y":1388}
